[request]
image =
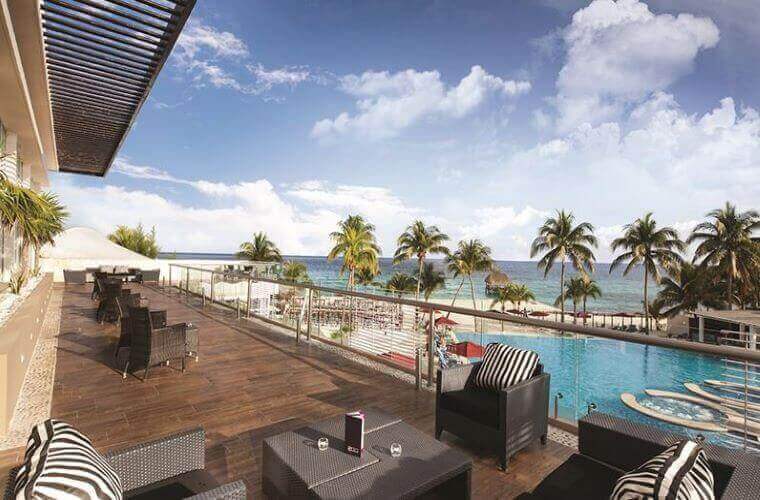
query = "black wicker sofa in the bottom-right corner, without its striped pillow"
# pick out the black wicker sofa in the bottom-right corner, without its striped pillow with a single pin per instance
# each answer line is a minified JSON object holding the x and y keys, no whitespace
{"x":610,"y":446}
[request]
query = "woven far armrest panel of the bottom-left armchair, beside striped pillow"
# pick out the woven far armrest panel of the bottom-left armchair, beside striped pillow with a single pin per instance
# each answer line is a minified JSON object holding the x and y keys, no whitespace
{"x":161,"y":459}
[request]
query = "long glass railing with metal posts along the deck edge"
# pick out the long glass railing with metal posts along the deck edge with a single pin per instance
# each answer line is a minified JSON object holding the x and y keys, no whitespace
{"x":689,"y":387}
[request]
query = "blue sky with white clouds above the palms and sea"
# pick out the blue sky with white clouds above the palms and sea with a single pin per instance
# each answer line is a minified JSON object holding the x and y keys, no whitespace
{"x":482,"y":118}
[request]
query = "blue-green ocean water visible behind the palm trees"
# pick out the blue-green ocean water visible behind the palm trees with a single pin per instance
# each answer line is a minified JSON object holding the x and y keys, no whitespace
{"x":619,"y":293}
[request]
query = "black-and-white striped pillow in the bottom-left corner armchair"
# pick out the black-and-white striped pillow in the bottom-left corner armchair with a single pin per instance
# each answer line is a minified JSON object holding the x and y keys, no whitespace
{"x":60,"y":462}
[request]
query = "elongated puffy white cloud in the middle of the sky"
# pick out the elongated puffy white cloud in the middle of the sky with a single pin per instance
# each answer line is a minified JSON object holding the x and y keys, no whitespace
{"x":388,"y":103}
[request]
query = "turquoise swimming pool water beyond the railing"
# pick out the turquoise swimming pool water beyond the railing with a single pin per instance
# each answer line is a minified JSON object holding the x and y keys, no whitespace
{"x":595,"y":370}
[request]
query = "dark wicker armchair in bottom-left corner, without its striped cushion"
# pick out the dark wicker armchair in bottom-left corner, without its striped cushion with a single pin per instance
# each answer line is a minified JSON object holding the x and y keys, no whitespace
{"x":168,"y":465}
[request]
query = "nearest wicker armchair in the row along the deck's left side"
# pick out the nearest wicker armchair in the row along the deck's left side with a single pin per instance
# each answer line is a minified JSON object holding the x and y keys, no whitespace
{"x":151,"y":345}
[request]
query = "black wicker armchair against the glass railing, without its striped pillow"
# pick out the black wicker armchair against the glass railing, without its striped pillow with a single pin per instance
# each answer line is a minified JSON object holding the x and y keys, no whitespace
{"x":507,"y":420}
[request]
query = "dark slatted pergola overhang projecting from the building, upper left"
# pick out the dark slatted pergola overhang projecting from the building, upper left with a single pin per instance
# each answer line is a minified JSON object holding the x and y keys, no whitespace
{"x":102,"y":59}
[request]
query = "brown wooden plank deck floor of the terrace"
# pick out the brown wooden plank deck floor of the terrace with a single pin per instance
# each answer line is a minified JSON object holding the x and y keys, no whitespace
{"x":250,"y":383}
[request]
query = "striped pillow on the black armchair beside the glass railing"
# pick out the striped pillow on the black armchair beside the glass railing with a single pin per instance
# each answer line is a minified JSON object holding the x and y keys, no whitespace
{"x":504,"y":366}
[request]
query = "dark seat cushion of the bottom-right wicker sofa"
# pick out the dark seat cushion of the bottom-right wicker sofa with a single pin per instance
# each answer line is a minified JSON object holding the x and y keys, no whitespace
{"x":578,"y":477}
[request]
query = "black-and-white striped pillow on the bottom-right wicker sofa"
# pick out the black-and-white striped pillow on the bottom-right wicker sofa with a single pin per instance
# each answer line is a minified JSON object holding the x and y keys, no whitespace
{"x":681,"y":472}
